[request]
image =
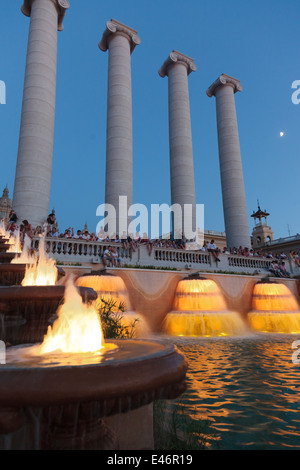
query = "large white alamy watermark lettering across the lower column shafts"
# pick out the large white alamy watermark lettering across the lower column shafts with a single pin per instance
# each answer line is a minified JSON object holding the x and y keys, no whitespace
{"x":164,"y":221}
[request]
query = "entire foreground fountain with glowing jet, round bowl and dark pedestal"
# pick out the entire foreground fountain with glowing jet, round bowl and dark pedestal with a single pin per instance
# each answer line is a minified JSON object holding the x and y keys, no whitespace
{"x":55,"y":395}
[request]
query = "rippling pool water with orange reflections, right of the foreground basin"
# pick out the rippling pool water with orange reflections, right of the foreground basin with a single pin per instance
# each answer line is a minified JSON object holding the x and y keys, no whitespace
{"x":247,"y":388}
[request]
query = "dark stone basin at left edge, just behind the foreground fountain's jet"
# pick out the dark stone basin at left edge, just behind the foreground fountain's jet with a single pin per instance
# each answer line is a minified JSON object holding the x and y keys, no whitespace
{"x":34,"y":307}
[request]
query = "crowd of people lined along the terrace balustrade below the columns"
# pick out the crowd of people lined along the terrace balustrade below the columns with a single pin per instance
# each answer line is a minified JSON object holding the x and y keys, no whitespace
{"x":132,"y":242}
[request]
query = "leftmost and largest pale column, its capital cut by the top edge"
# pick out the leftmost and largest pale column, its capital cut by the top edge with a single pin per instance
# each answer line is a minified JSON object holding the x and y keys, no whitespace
{"x":34,"y":163}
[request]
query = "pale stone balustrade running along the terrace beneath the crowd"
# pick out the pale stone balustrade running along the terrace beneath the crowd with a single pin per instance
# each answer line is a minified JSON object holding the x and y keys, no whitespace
{"x":70,"y":251}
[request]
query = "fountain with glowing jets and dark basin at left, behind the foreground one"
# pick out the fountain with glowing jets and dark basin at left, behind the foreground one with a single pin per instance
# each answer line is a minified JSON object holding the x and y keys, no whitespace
{"x":27,"y":309}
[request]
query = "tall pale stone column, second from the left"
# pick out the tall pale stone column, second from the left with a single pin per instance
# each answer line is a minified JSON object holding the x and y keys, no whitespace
{"x":120,"y":41}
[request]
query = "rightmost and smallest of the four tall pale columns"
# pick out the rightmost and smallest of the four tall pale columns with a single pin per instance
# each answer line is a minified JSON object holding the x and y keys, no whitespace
{"x":232,"y":180}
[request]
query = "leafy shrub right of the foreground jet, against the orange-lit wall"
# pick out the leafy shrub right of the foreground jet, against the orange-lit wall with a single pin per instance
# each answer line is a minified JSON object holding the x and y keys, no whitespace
{"x":113,"y":321}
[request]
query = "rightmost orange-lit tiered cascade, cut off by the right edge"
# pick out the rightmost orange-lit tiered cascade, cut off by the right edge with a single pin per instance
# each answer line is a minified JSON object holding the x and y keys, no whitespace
{"x":274,"y":308}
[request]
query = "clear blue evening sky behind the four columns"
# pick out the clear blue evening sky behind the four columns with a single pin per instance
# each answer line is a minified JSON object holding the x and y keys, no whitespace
{"x":255,"y":41}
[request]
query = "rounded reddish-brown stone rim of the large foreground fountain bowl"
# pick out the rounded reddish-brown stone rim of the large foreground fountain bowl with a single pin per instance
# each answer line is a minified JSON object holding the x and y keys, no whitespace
{"x":161,"y":374}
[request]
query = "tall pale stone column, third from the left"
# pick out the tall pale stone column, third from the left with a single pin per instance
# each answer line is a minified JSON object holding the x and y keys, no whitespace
{"x":177,"y":67}
